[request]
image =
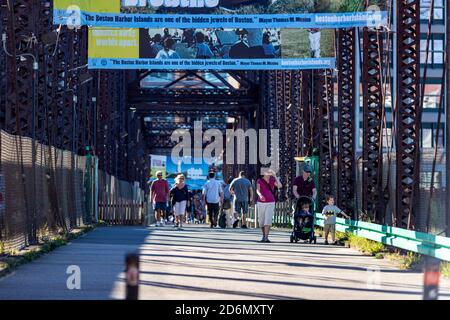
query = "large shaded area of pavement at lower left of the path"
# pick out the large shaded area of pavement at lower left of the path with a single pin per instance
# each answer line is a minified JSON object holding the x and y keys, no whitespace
{"x":100,"y":255}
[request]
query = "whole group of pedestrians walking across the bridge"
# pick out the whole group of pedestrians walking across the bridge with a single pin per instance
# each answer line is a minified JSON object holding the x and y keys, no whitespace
{"x":232,"y":199}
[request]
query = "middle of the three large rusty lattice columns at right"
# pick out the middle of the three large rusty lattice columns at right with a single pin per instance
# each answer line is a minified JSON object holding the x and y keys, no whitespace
{"x":372,"y":194}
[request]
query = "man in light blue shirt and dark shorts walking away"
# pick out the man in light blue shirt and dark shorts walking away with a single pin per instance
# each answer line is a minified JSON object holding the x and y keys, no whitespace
{"x":213,"y":197}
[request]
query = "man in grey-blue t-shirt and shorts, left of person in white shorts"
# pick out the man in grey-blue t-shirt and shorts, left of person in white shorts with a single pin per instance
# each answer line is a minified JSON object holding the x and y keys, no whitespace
{"x":242,"y":190}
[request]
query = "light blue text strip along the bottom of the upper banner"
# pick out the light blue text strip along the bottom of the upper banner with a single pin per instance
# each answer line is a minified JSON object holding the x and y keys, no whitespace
{"x":293,"y":21}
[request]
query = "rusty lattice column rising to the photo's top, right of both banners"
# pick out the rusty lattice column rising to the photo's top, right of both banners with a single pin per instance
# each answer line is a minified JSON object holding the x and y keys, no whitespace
{"x":407,"y":111}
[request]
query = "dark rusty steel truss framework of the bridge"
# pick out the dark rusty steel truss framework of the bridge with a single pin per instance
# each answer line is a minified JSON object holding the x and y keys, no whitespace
{"x":60,"y":105}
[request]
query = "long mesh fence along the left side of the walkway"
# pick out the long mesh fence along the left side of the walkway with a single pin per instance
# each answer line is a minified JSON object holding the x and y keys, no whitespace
{"x":49,"y":191}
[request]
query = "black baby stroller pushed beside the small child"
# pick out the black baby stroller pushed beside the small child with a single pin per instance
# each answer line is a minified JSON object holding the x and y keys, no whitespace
{"x":303,"y":225}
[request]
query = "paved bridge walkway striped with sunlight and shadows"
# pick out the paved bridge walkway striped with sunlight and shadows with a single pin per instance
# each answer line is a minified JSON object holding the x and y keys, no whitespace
{"x":200,"y":263}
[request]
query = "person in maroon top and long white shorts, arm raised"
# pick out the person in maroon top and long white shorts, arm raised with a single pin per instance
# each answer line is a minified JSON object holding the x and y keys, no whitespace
{"x":265,"y":206}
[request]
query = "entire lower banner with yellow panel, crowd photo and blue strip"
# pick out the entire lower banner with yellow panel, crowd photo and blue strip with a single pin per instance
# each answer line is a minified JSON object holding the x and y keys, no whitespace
{"x":252,"y":48}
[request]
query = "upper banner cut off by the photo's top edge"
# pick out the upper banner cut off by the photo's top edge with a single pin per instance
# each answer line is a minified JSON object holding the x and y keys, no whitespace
{"x":219,"y":13}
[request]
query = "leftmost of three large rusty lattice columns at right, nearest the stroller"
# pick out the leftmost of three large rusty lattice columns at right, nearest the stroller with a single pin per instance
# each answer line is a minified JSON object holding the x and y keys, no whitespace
{"x":346,"y":119}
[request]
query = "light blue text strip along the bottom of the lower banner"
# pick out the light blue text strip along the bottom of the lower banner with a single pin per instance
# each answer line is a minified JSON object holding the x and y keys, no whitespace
{"x":223,"y":64}
